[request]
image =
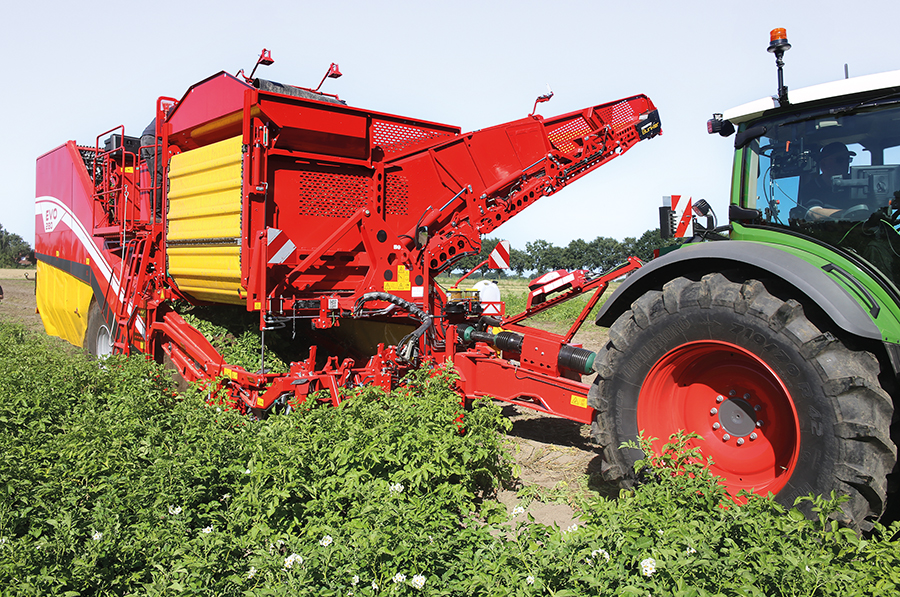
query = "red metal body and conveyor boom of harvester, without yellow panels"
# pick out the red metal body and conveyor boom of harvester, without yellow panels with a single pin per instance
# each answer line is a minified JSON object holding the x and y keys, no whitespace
{"x":375,"y":206}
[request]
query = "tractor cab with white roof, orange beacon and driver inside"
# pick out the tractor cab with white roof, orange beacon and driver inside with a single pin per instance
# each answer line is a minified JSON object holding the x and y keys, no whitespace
{"x":822,"y":162}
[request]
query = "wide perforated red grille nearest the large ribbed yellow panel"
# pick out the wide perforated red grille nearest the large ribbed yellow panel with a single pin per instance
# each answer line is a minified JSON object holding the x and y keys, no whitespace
{"x":331,"y":195}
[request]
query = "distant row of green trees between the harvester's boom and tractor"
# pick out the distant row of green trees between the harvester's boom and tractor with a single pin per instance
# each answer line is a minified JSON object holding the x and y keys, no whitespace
{"x":539,"y":256}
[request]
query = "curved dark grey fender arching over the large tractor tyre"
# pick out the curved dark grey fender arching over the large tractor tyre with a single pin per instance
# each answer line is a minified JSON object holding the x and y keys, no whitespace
{"x":709,"y":257}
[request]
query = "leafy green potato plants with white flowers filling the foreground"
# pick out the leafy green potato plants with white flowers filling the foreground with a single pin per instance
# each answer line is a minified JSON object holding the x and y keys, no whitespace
{"x":111,"y":485}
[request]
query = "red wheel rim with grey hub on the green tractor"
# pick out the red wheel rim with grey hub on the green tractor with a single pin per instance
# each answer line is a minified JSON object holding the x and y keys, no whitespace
{"x":735,"y":402}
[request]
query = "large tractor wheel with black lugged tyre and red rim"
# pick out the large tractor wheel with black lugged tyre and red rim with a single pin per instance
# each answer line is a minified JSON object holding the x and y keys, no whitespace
{"x":755,"y":378}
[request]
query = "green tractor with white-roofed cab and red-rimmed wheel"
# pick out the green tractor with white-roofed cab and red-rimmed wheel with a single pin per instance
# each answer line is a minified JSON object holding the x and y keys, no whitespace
{"x":780,"y":345}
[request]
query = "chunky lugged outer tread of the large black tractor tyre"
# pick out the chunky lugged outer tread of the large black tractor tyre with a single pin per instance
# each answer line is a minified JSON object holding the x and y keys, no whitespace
{"x":850,"y":379}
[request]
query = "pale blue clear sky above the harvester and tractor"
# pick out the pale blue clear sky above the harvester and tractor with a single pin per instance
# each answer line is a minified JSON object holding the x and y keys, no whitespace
{"x":76,"y":69}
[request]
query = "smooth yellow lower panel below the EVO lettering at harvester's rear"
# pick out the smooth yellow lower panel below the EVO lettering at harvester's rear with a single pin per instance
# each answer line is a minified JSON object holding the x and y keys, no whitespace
{"x":63,"y":302}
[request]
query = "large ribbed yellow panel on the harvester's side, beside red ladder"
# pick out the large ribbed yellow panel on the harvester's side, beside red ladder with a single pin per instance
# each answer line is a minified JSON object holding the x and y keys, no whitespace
{"x":205,"y":221}
